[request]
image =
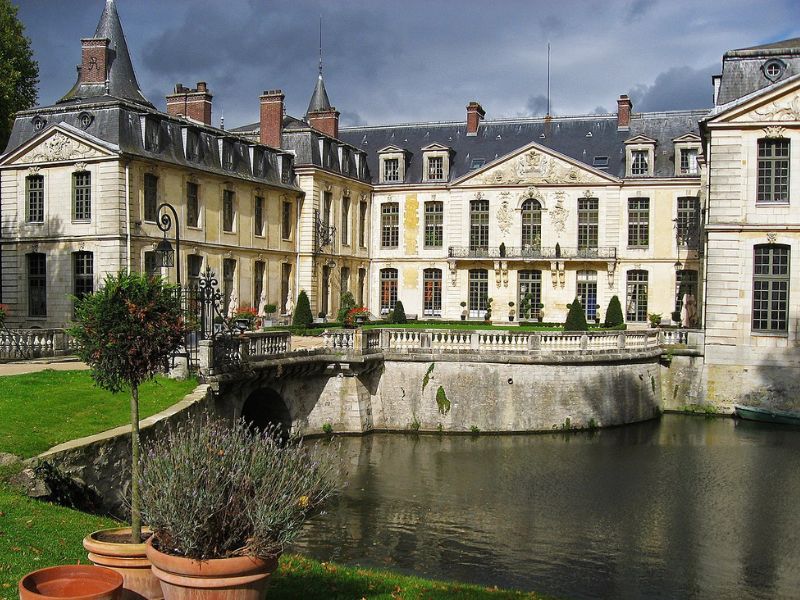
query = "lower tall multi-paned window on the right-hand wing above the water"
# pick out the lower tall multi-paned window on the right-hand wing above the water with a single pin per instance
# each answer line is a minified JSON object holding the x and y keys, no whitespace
{"x":770,"y":287}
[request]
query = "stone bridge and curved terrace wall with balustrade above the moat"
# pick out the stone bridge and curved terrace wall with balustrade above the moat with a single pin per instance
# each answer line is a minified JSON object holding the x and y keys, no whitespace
{"x":450,"y":380}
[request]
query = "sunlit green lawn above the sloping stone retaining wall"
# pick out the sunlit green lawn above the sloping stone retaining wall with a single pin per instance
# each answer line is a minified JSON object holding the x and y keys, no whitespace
{"x":40,"y":410}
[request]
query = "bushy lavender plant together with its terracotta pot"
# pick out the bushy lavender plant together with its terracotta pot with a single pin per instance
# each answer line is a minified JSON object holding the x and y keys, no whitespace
{"x":222,"y":501}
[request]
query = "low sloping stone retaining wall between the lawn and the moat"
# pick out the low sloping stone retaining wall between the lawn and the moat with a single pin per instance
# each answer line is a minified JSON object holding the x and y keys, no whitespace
{"x":102,"y":462}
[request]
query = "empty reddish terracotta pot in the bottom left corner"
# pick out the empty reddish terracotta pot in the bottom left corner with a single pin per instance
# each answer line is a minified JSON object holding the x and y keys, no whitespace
{"x":79,"y":582}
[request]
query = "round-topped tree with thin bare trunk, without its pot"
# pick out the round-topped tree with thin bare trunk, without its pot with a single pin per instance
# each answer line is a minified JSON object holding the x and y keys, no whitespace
{"x":126,"y":332}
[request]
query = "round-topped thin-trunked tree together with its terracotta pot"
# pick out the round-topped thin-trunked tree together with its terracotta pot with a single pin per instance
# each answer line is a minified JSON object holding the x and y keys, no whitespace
{"x":126,"y":332}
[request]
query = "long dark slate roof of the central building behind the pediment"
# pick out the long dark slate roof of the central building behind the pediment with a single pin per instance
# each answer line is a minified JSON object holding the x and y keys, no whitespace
{"x":583,"y":138}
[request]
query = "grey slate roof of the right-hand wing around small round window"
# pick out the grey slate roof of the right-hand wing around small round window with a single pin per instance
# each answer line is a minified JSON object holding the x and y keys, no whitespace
{"x":742,"y":71}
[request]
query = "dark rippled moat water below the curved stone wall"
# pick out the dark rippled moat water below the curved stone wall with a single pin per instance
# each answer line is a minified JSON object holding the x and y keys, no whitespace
{"x":683,"y":507}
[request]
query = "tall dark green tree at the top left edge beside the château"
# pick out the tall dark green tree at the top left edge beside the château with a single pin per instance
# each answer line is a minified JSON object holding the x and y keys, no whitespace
{"x":19,"y":73}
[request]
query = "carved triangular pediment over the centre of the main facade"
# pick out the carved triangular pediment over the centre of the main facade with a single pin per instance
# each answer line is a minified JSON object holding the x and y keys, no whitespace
{"x":534,"y":167}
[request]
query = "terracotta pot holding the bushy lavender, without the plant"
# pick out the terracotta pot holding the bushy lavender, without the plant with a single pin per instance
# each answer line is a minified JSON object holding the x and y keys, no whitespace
{"x":239,"y":578}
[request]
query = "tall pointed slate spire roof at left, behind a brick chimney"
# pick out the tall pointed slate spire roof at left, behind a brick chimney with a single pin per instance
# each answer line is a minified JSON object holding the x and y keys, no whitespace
{"x":122,"y":82}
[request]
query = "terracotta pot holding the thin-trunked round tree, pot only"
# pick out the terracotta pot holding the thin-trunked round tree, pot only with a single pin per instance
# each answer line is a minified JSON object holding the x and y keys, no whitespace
{"x":129,"y":560}
